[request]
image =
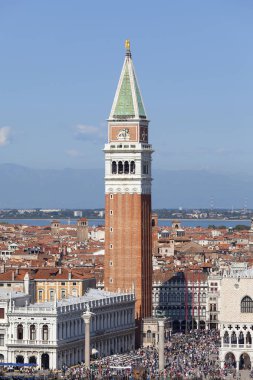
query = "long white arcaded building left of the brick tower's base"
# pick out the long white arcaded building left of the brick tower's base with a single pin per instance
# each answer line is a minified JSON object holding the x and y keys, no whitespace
{"x":52,"y":334}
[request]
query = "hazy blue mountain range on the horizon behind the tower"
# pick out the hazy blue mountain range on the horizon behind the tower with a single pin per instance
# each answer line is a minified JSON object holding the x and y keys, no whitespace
{"x":23,"y":187}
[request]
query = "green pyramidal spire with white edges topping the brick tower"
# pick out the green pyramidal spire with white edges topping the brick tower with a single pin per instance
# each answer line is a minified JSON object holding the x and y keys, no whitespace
{"x":128,"y":102}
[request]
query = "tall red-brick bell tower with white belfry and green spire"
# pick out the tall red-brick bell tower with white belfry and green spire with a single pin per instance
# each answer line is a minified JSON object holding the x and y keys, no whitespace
{"x":128,"y":219}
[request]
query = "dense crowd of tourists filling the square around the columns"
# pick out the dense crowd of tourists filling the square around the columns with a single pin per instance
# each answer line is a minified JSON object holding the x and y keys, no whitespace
{"x":187,"y":356}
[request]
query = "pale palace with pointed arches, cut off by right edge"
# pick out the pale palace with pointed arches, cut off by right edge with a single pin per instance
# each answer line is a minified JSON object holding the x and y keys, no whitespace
{"x":236,"y":320}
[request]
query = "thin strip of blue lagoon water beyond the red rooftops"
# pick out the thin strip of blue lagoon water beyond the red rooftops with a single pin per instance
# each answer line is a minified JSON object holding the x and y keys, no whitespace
{"x":161,"y":222}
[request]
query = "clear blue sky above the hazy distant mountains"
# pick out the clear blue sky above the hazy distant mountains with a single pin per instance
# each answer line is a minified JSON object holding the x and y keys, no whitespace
{"x":61,"y":60}
